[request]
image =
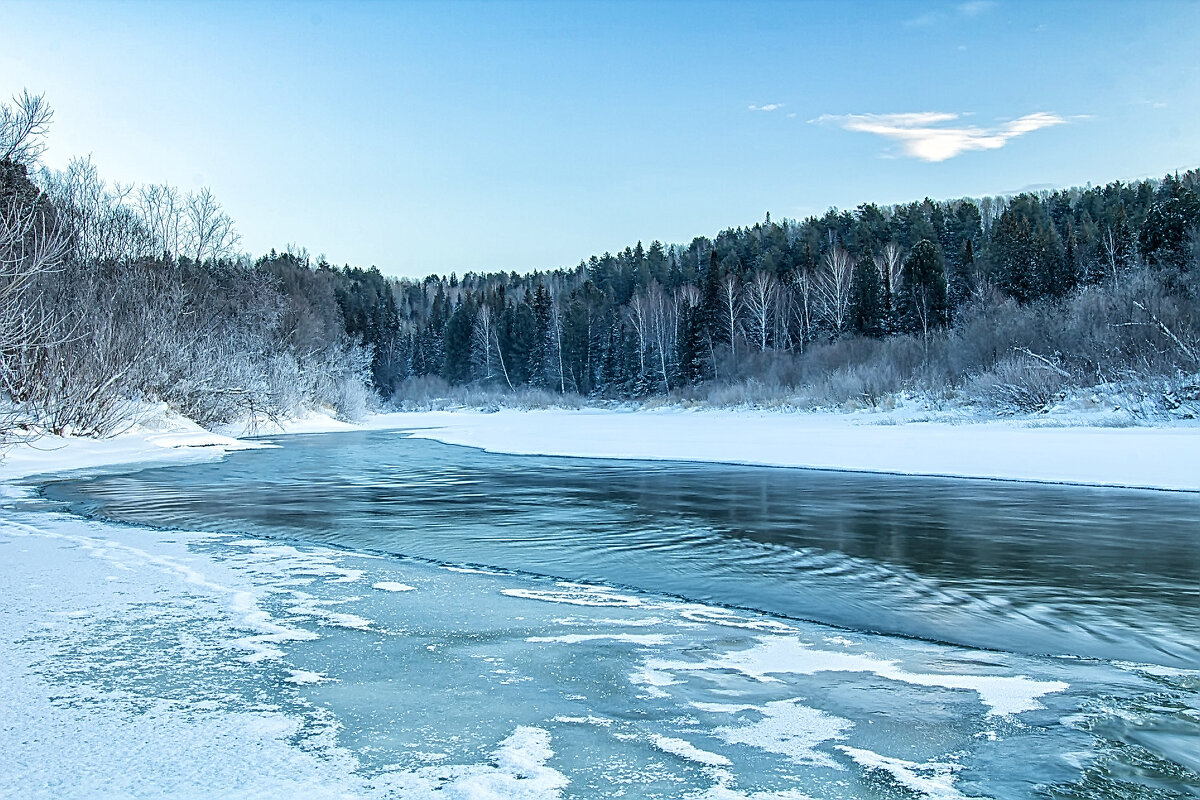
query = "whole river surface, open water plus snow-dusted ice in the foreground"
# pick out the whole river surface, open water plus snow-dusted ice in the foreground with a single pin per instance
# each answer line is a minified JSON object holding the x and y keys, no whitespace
{"x":364,"y":615}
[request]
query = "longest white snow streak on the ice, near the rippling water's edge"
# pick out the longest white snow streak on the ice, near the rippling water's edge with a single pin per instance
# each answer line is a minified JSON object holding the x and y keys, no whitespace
{"x":1004,"y":695}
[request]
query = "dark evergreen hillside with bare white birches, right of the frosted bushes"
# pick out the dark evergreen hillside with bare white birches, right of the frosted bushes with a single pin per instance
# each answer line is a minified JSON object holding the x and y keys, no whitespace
{"x":757,"y":302}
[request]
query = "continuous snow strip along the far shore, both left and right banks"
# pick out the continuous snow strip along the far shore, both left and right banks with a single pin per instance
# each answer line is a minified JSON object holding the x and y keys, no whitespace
{"x":1166,"y":458}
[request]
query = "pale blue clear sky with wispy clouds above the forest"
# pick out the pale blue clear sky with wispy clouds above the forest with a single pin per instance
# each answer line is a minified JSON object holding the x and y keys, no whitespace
{"x":437,"y":137}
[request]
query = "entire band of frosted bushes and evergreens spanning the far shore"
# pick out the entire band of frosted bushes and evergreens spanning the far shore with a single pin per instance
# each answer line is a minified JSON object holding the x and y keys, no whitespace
{"x":117,"y":297}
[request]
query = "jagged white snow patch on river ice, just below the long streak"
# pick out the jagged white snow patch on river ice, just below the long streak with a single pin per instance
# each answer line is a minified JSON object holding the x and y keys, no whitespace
{"x":790,"y":730}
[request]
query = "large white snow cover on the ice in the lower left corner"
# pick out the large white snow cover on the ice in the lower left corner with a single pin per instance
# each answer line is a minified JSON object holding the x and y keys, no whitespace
{"x":82,"y":724}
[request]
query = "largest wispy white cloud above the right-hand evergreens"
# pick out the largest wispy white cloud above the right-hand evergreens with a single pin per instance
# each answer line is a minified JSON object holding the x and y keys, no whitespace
{"x":926,"y":136}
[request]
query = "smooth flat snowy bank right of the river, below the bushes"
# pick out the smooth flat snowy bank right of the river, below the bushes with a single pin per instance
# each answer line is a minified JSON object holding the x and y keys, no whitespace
{"x":1143,"y":458}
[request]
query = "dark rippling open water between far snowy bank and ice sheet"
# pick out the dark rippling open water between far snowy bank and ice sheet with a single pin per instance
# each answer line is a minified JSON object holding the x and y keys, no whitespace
{"x":1021,"y":568}
